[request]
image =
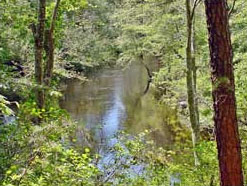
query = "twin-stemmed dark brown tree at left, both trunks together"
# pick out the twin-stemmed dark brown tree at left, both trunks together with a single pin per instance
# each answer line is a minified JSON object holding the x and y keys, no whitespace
{"x":44,"y":42}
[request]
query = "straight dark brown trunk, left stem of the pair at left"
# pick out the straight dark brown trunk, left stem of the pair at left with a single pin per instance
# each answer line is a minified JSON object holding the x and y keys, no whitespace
{"x":38,"y":32}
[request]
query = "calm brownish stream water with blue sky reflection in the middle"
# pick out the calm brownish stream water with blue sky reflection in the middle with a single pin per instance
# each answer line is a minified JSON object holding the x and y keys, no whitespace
{"x":114,"y":100}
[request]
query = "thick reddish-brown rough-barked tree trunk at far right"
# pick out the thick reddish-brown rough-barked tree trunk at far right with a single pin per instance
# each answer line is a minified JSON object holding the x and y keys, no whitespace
{"x":227,"y":136}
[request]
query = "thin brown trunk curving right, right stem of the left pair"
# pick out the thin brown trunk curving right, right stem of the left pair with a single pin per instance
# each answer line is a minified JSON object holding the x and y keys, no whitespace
{"x":49,"y":47}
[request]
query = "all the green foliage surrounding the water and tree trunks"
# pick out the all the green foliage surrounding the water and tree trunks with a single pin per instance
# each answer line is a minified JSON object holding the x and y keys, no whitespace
{"x":95,"y":34}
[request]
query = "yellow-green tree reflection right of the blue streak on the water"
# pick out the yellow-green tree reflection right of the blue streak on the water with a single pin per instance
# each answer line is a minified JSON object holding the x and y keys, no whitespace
{"x":144,"y":112}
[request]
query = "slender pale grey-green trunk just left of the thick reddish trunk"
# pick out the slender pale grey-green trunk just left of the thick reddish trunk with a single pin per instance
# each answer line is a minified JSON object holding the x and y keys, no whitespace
{"x":191,"y":80}
